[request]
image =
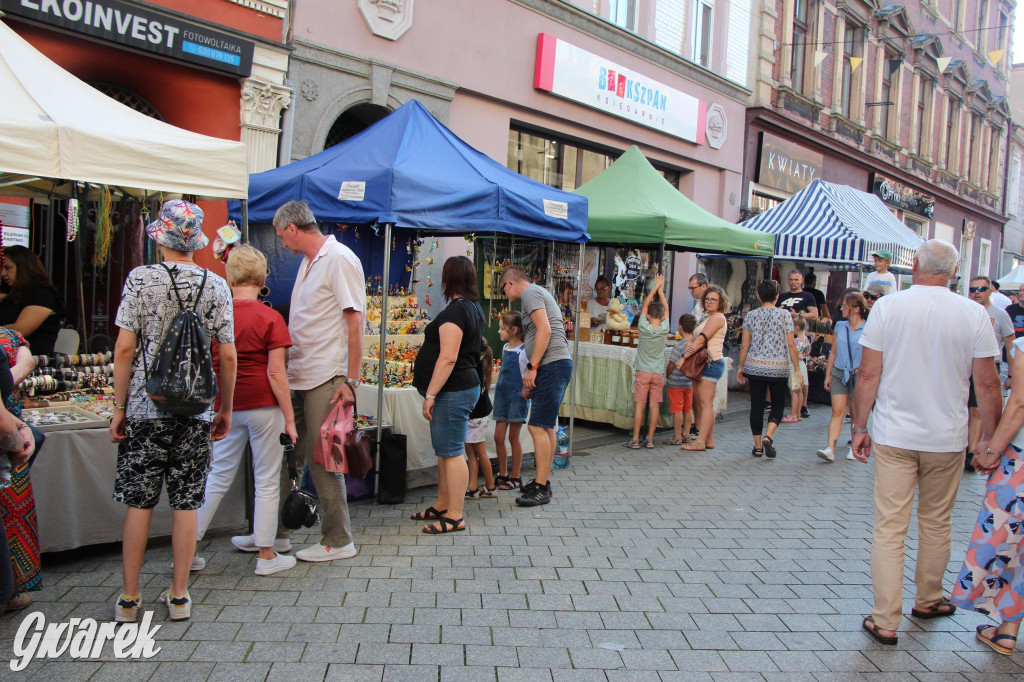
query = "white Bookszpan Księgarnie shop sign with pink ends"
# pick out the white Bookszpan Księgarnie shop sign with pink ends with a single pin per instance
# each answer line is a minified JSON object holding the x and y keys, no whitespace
{"x":570,"y":72}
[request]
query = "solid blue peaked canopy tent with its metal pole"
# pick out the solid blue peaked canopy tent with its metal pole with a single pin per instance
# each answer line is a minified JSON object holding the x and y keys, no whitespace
{"x":409,"y":172}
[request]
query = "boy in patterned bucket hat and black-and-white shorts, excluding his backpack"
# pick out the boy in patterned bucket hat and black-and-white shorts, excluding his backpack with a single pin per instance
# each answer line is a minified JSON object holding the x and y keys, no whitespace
{"x":154,"y":446}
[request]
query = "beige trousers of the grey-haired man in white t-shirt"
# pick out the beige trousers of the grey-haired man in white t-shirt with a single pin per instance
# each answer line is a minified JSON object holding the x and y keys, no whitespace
{"x":898,"y":474}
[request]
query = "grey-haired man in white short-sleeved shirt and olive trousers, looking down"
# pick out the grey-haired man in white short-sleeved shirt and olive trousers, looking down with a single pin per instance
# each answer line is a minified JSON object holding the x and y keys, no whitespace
{"x":326,"y":325}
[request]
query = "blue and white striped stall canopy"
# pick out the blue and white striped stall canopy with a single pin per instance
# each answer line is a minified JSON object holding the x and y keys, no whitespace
{"x":835,"y":224}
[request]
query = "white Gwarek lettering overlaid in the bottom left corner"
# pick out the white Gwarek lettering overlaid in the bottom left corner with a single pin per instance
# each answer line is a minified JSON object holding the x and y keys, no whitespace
{"x":82,"y":640}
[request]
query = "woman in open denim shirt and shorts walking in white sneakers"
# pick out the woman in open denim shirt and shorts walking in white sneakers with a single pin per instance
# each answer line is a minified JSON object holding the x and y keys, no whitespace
{"x":841,"y":374}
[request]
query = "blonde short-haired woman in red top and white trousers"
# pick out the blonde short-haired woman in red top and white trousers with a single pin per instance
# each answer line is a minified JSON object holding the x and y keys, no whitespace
{"x":263,"y":411}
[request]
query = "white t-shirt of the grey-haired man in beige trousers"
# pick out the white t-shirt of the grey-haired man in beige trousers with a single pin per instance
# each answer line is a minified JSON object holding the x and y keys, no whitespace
{"x":928,"y":337}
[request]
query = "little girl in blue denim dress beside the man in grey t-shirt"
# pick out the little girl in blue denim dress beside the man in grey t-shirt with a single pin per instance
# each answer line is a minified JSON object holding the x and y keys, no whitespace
{"x":511,"y":408}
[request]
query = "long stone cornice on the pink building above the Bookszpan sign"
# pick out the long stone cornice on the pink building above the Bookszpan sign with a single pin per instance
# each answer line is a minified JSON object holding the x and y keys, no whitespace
{"x":609,"y":33}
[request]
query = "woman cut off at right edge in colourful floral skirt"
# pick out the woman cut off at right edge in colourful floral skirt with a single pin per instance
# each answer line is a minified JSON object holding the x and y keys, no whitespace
{"x":992,"y":580}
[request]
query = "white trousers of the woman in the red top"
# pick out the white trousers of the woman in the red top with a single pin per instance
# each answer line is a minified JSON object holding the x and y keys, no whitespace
{"x":263,"y":428}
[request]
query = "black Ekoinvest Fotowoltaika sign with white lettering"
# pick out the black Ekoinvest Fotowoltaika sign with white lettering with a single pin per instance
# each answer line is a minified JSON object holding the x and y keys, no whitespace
{"x":142,"y":29}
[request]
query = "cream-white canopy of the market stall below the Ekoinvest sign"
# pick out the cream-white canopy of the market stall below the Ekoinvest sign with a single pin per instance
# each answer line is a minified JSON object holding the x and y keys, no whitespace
{"x":56,"y":127}
